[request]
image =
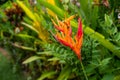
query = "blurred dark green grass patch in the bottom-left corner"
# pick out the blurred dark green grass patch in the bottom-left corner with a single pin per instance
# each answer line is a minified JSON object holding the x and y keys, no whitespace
{"x":9,"y":69}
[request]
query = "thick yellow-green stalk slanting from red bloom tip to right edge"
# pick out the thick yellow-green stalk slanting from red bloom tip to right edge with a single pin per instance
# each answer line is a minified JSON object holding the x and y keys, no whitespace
{"x":99,"y":37}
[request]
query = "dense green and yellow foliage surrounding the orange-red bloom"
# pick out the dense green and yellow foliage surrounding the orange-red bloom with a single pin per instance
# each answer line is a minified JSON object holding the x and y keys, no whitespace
{"x":34,"y":50}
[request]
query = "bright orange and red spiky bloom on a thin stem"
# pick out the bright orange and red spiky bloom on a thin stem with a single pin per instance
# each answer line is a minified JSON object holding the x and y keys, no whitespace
{"x":64,"y":35}
